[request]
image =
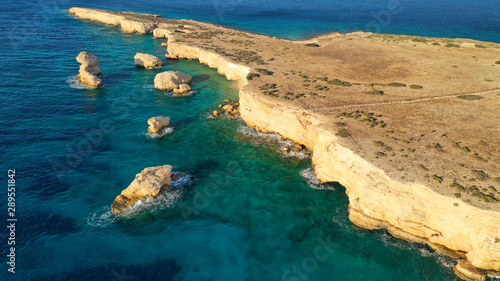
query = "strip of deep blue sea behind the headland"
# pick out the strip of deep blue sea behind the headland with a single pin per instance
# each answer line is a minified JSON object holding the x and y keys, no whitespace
{"x":303,"y":20}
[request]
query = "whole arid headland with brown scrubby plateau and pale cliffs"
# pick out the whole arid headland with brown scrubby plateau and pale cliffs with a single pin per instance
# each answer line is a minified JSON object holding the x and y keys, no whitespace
{"x":407,"y":124}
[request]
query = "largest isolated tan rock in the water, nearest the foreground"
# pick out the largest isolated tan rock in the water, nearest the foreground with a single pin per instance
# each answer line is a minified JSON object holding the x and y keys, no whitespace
{"x":149,"y":183}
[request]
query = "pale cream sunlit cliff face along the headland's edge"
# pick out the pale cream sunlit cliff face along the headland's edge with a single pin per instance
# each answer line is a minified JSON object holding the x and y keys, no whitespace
{"x":376,"y":200}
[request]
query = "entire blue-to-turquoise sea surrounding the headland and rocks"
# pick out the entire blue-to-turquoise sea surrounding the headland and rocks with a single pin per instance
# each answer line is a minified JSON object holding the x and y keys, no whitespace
{"x":243,"y":211}
